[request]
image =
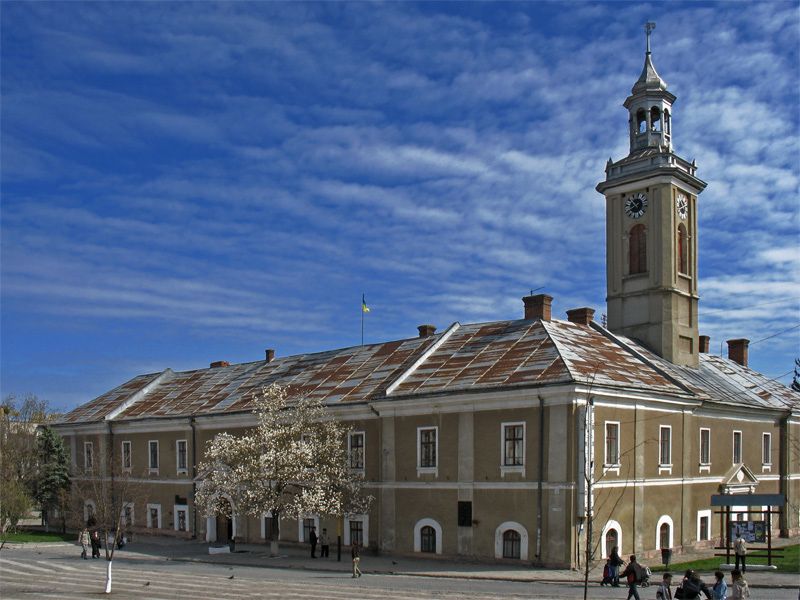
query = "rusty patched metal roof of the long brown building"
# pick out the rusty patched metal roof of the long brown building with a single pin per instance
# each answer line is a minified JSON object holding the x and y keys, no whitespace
{"x":474,"y":357}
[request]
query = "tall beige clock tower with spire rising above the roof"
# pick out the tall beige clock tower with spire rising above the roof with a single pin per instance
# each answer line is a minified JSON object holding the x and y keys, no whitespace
{"x":651,"y":228}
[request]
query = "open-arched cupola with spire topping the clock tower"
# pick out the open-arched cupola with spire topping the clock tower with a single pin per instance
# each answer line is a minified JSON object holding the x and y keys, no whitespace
{"x":650,"y":107}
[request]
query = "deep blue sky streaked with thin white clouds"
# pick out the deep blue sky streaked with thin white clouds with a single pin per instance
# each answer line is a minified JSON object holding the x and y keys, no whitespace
{"x":184,"y":183}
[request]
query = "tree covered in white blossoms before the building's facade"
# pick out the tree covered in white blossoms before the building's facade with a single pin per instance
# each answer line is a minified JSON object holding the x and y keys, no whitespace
{"x":293,"y":462}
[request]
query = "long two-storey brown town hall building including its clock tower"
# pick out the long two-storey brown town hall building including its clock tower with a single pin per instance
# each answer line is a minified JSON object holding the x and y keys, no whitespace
{"x":494,"y":440}
